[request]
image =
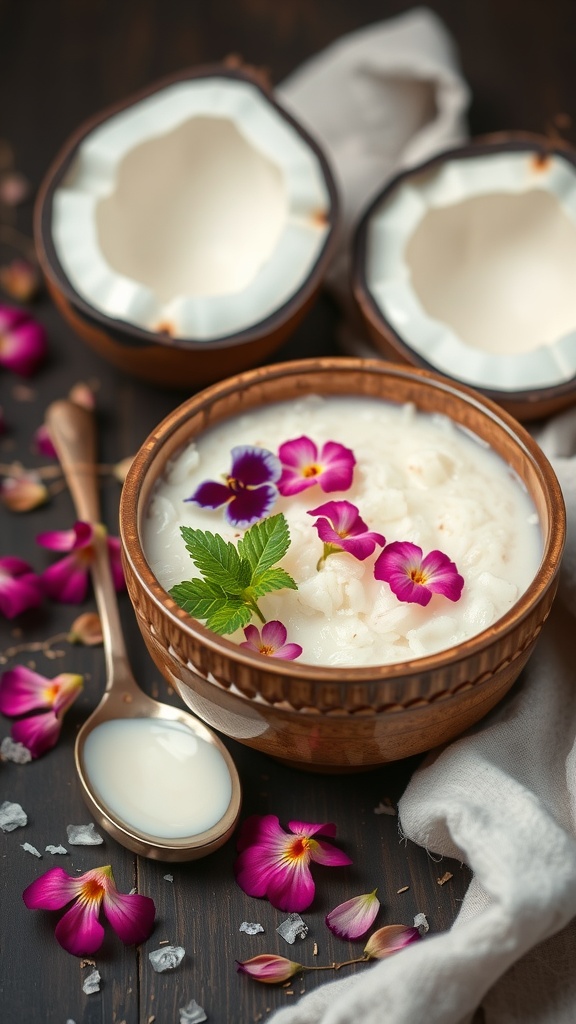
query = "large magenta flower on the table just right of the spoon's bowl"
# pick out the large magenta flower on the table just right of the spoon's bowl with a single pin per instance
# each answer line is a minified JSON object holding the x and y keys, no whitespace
{"x":275,"y":865}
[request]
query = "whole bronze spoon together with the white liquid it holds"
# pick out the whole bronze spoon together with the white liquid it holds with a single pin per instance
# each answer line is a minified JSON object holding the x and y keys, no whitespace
{"x":159,"y":781}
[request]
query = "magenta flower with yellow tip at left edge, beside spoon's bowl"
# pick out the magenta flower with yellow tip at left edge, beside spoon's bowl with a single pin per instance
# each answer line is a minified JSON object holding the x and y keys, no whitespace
{"x":23,"y":691}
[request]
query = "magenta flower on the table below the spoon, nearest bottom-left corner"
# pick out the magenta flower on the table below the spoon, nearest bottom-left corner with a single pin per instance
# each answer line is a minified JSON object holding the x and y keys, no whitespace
{"x":80,"y":932}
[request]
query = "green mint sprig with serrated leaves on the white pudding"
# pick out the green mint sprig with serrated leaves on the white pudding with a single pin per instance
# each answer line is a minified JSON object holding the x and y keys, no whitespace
{"x":233,"y":578}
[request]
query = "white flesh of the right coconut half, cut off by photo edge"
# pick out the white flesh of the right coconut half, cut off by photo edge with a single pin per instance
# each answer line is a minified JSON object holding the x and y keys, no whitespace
{"x":474,"y":266}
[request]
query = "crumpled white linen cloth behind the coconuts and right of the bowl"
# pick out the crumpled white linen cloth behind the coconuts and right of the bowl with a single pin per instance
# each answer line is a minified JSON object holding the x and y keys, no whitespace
{"x":503,"y":799}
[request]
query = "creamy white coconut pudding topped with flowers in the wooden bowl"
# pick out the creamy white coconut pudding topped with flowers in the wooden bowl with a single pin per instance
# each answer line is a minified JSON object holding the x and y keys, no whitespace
{"x":421,"y":536}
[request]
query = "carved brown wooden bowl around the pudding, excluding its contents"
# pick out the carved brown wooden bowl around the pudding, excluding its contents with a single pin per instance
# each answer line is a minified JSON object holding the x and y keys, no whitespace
{"x":337,"y":719}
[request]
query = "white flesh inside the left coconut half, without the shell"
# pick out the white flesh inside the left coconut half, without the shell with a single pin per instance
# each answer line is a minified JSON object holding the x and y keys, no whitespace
{"x":199,"y":211}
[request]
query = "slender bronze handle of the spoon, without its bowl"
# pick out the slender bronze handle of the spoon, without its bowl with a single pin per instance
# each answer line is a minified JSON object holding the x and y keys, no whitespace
{"x":74,"y":436}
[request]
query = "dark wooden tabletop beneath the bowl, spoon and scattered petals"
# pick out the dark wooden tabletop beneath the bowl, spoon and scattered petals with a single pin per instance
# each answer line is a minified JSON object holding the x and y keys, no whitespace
{"x":61,"y":62}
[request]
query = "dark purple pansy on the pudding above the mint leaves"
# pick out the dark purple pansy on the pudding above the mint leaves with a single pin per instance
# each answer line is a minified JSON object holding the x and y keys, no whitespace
{"x":251,"y":490}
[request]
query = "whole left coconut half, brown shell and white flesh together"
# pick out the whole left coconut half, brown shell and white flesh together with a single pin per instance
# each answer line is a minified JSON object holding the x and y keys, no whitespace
{"x":138,"y":337}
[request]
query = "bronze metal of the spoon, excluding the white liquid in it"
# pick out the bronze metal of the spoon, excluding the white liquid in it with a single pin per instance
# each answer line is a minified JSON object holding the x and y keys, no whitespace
{"x":73,"y":432}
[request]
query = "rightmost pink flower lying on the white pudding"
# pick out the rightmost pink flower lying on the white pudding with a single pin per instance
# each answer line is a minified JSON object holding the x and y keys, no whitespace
{"x":416,"y":579}
